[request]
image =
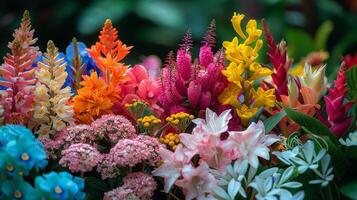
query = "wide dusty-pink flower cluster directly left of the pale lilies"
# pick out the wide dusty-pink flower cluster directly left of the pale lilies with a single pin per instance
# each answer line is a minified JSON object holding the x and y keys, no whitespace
{"x":130,"y":152}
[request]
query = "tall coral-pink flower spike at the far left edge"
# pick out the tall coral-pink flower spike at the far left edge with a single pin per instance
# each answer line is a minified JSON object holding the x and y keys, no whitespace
{"x":18,"y":75}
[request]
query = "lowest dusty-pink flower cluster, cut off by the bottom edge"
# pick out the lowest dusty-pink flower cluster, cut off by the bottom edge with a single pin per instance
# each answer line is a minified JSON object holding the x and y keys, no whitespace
{"x":143,"y":185}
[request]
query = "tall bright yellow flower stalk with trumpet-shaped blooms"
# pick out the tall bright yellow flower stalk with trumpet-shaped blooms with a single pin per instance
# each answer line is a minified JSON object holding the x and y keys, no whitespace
{"x":243,"y":70}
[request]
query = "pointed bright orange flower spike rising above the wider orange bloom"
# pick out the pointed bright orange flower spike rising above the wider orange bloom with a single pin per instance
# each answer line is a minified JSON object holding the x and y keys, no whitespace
{"x":109,"y":51}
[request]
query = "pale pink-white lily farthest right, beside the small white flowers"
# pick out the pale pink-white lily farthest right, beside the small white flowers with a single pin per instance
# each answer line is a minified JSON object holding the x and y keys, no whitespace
{"x":252,"y":143}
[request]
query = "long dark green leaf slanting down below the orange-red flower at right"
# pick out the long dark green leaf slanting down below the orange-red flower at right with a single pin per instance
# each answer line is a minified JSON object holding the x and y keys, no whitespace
{"x":310,"y":123}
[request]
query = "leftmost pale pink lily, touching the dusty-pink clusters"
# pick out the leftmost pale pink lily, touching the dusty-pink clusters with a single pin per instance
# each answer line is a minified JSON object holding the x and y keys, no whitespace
{"x":173,"y":162}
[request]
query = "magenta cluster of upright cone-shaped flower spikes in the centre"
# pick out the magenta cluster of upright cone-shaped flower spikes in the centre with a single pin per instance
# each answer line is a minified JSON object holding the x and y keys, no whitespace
{"x":199,"y":84}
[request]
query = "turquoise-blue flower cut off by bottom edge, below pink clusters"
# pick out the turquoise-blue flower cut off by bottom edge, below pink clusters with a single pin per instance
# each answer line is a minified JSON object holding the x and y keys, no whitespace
{"x":61,"y":186}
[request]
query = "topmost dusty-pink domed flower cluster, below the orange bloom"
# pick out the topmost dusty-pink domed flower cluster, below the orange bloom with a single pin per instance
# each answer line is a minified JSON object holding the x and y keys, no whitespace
{"x":113,"y":128}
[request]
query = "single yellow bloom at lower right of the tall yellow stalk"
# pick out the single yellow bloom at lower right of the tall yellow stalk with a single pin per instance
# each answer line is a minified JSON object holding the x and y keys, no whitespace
{"x":264,"y":97}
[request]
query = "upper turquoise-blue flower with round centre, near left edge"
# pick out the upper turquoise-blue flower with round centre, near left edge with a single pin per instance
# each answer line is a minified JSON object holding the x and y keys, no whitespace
{"x":27,"y":153}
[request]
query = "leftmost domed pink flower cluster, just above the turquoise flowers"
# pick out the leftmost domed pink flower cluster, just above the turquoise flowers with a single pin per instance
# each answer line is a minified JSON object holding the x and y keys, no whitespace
{"x":80,"y":157}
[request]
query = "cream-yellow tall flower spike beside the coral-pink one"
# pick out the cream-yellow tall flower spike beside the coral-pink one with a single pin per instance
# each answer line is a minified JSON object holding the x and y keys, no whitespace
{"x":52,"y":110}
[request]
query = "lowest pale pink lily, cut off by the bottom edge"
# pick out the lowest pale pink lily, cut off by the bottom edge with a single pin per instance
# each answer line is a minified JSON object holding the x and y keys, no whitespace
{"x":197,"y":182}
